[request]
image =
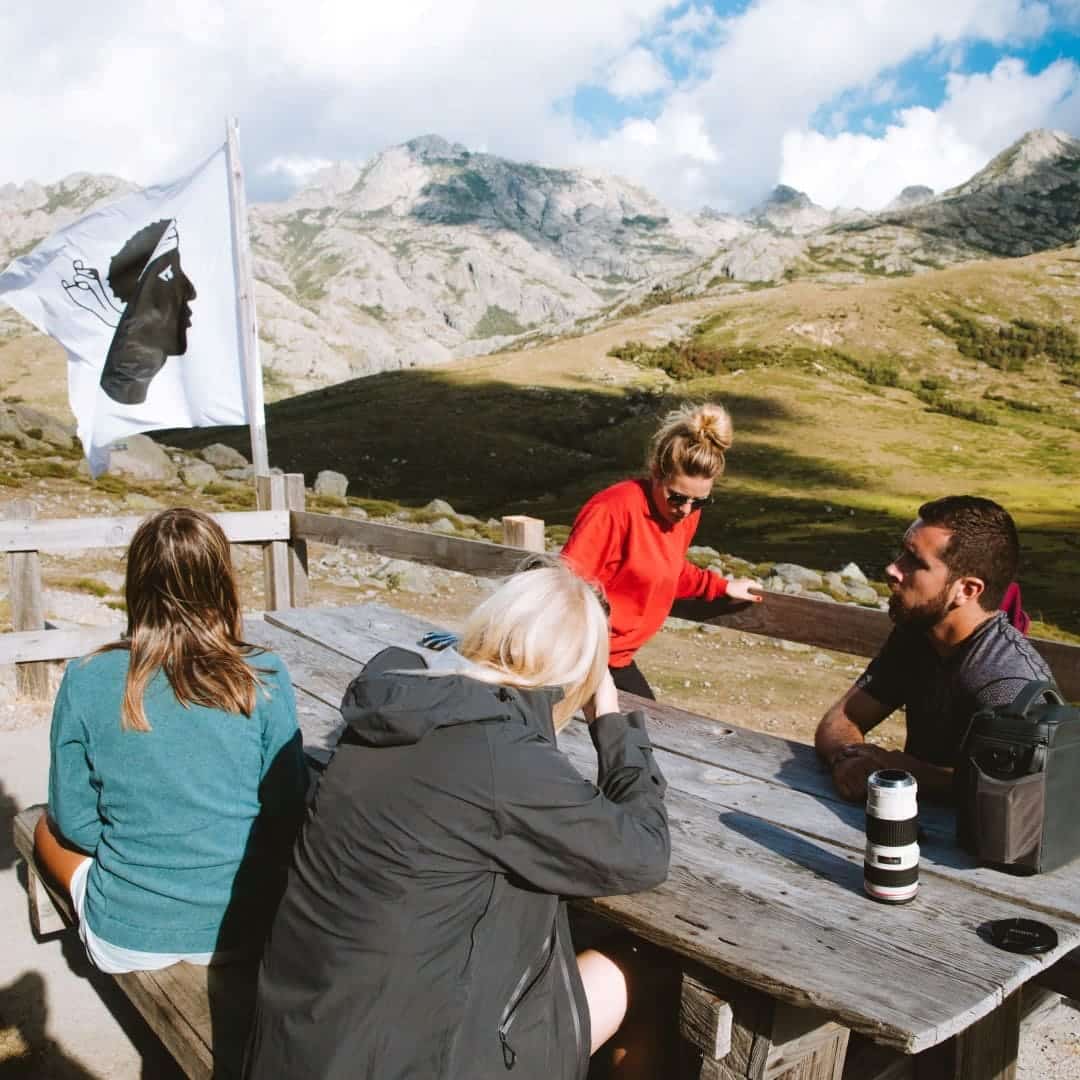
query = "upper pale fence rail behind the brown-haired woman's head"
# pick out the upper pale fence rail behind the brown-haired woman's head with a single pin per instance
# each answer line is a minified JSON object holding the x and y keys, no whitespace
{"x":79,"y":534}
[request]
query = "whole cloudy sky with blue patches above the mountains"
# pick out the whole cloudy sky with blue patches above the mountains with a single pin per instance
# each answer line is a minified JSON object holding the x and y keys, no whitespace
{"x":700,"y":103}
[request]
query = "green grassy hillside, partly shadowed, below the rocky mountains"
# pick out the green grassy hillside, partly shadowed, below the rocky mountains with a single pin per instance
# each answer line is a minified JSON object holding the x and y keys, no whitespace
{"x":853,"y":404}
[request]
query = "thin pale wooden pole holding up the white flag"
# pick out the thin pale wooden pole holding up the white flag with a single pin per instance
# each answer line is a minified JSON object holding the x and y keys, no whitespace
{"x":247,"y":328}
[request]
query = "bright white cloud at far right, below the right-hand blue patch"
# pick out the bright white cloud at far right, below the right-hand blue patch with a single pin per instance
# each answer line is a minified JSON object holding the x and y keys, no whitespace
{"x":982,"y":115}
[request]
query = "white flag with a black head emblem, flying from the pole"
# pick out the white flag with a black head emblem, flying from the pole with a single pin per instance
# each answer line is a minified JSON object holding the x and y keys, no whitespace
{"x":143,"y":295}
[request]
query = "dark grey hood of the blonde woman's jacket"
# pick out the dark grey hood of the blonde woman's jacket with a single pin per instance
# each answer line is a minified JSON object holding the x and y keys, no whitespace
{"x":395,"y":701}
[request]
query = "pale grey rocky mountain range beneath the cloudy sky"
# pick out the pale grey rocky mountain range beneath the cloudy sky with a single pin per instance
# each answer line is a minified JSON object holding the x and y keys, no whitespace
{"x":430,"y":252}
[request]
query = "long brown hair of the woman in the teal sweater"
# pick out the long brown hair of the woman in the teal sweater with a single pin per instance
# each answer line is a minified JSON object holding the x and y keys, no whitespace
{"x":184,"y":617}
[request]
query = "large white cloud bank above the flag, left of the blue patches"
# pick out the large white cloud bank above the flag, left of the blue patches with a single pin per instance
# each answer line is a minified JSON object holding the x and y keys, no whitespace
{"x":124,"y":88}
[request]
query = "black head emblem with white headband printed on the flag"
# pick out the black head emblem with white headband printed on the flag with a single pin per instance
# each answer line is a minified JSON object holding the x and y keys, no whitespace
{"x":154,"y":313}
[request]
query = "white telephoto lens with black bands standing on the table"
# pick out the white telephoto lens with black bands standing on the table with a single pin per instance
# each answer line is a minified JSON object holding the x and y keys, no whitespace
{"x":892,"y":865}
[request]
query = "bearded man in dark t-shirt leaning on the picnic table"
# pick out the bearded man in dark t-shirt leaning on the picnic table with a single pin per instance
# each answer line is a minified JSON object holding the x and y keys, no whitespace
{"x":951,"y":652}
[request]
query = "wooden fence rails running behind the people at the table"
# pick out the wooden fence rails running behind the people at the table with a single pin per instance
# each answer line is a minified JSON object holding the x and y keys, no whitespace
{"x":840,"y":627}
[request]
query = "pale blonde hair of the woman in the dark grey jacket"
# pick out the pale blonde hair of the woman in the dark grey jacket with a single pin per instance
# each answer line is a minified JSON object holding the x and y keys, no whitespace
{"x":541,"y":628}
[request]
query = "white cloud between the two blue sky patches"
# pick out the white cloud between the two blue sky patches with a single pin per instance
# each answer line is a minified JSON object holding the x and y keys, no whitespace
{"x":779,"y":62}
